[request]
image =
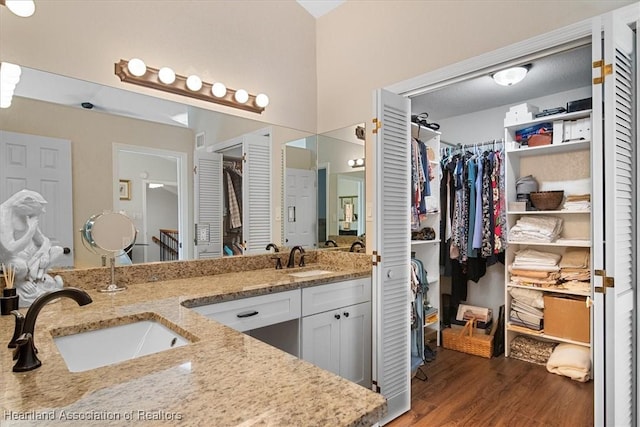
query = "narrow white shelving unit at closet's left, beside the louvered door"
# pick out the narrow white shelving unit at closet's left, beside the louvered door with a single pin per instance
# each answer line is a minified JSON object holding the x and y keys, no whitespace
{"x":428,"y":251}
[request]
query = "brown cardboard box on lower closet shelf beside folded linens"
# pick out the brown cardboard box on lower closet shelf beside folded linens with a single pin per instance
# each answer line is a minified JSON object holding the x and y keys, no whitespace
{"x":566,"y":316}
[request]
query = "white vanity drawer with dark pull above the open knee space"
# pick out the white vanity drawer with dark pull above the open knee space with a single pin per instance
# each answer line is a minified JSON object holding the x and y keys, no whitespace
{"x":255,"y":312}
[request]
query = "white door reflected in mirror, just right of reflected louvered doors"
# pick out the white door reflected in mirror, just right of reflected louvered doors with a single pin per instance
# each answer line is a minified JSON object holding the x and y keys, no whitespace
{"x":300,"y":208}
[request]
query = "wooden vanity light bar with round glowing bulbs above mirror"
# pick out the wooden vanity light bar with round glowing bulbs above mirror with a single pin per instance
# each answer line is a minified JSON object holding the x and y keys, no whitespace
{"x":191,"y":86}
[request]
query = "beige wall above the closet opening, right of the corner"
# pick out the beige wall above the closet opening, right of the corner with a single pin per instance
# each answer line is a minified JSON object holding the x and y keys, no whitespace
{"x":364,"y":45}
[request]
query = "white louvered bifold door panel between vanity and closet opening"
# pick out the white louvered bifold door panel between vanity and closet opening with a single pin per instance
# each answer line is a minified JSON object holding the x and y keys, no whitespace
{"x":391,"y":353}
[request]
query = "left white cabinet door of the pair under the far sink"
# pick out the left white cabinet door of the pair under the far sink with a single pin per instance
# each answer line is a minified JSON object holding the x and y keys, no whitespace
{"x":321,"y":340}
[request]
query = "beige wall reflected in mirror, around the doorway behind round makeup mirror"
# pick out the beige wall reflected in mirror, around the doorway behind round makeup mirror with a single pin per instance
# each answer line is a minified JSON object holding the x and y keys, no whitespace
{"x":92,"y":135}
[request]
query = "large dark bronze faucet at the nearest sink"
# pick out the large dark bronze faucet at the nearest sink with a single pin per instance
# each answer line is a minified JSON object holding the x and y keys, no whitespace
{"x":22,"y":340}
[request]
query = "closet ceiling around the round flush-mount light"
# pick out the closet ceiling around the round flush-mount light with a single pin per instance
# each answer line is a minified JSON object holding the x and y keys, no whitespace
{"x":551,"y":74}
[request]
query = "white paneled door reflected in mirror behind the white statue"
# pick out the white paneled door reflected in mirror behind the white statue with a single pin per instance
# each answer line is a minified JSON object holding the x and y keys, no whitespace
{"x":41,"y":164}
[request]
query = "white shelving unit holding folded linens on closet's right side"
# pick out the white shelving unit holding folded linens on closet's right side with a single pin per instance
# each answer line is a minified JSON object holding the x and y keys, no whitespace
{"x":565,"y":161}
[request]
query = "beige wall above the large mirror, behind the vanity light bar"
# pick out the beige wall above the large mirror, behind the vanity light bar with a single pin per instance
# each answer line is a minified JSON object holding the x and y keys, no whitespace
{"x":261,"y":46}
